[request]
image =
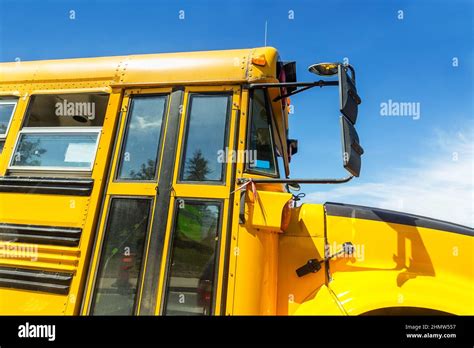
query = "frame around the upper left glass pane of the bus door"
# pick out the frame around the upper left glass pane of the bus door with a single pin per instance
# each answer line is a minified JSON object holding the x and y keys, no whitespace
{"x":125,"y":132}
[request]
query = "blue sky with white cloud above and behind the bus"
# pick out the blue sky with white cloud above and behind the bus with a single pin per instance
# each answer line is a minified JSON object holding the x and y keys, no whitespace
{"x":408,"y":164}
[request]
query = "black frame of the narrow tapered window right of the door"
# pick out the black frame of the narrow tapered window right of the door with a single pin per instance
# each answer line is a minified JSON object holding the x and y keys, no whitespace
{"x":268,"y":107}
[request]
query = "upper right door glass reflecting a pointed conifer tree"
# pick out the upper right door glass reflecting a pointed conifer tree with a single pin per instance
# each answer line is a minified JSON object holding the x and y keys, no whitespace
{"x":205,"y":138}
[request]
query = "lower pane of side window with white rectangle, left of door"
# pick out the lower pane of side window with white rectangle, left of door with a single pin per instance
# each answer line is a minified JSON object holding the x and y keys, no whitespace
{"x":60,"y":150}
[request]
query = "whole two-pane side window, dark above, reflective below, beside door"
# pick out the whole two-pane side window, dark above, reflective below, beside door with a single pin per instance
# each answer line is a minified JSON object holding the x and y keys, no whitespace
{"x":60,"y":133}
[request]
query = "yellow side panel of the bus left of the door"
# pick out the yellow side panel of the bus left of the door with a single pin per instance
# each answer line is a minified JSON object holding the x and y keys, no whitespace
{"x":46,"y":239}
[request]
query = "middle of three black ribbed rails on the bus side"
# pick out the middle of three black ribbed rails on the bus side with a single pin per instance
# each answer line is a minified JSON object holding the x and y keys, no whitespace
{"x":63,"y":236}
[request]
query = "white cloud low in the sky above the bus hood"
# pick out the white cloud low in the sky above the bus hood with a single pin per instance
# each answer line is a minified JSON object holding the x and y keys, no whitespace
{"x":441,"y":185}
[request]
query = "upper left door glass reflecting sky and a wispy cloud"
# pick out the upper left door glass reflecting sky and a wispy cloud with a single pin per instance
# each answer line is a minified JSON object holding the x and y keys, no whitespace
{"x":141,"y":143}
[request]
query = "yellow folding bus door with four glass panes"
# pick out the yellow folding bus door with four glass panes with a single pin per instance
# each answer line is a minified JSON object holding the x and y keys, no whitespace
{"x":162,"y":228}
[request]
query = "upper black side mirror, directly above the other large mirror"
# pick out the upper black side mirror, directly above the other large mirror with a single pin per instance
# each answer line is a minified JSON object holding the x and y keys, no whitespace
{"x":348,"y":97}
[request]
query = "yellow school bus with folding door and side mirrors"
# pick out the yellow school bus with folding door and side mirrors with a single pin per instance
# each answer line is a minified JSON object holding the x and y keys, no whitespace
{"x":160,"y":184}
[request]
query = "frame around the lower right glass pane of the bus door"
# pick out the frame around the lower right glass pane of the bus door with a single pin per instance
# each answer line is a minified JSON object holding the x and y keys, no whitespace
{"x":169,"y":252}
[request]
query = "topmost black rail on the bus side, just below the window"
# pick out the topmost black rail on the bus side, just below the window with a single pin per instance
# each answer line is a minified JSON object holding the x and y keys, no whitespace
{"x":40,"y":185}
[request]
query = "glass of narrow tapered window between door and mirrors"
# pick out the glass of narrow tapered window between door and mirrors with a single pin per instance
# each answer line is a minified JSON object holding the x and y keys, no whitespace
{"x":260,"y":137}
